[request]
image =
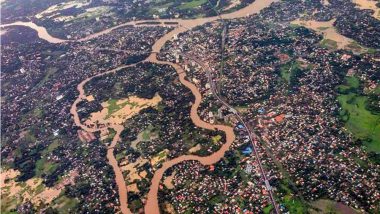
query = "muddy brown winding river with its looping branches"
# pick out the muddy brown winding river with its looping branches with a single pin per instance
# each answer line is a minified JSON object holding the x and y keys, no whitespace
{"x":151,"y":205}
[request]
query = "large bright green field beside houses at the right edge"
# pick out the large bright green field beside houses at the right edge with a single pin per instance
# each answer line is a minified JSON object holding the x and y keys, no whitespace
{"x":363,"y":123}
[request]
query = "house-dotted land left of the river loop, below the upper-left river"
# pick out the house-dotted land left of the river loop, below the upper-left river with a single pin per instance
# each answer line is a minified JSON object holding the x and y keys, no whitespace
{"x":39,"y":87}
